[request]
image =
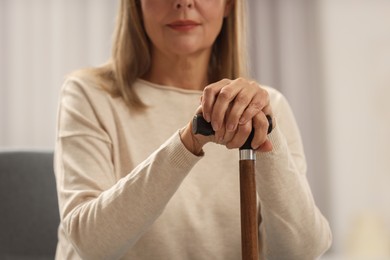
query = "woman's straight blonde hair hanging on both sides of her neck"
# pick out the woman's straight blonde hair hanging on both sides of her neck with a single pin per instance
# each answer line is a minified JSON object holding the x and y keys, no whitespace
{"x":131,"y":56}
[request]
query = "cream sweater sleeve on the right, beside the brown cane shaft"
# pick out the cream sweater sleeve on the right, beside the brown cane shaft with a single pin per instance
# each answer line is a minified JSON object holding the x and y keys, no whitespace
{"x":292,"y":226}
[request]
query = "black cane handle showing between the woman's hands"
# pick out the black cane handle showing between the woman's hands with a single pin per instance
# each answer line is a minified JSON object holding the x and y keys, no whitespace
{"x":201,"y":126}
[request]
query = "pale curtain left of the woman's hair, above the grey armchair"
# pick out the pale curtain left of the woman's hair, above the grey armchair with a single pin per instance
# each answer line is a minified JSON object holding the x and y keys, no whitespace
{"x":41,"y":41}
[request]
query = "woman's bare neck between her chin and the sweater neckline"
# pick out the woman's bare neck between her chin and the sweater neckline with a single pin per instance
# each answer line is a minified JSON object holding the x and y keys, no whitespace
{"x":187,"y":72}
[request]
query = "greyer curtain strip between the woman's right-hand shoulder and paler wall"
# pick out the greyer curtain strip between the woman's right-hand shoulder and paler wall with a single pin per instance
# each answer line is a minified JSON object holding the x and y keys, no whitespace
{"x":286,"y":55}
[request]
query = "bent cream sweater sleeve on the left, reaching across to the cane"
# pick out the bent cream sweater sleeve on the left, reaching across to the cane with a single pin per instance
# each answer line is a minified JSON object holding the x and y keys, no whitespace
{"x":100,"y":216}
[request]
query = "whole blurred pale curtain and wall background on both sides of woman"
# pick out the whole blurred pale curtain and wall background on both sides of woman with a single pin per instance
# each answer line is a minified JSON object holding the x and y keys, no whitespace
{"x":331,"y":58}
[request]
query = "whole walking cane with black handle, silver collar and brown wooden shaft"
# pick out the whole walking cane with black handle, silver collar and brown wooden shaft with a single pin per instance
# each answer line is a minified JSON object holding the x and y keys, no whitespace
{"x":248,"y":200}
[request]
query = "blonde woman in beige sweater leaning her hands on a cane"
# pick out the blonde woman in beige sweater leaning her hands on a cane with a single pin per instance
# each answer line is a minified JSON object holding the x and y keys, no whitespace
{"x":134,"y":182}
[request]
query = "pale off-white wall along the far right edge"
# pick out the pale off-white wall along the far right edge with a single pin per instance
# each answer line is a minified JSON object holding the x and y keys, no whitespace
{"x":355,"y":50}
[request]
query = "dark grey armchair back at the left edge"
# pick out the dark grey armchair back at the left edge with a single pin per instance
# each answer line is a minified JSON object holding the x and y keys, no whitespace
{"x":29,"y":214}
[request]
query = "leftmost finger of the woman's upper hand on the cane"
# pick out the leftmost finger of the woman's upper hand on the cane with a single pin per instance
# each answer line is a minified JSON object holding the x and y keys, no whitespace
{"x":209,"y":96}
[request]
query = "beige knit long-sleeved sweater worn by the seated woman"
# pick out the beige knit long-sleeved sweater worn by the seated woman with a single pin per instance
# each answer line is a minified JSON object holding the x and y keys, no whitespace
{"x":129,"y":189}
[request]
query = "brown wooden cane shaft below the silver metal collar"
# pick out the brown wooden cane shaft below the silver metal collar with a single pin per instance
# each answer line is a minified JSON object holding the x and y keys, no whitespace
{"x":249,"y":224}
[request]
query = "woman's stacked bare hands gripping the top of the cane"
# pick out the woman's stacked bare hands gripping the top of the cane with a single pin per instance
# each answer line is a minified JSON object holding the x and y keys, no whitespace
{"x":234,"y":107}
